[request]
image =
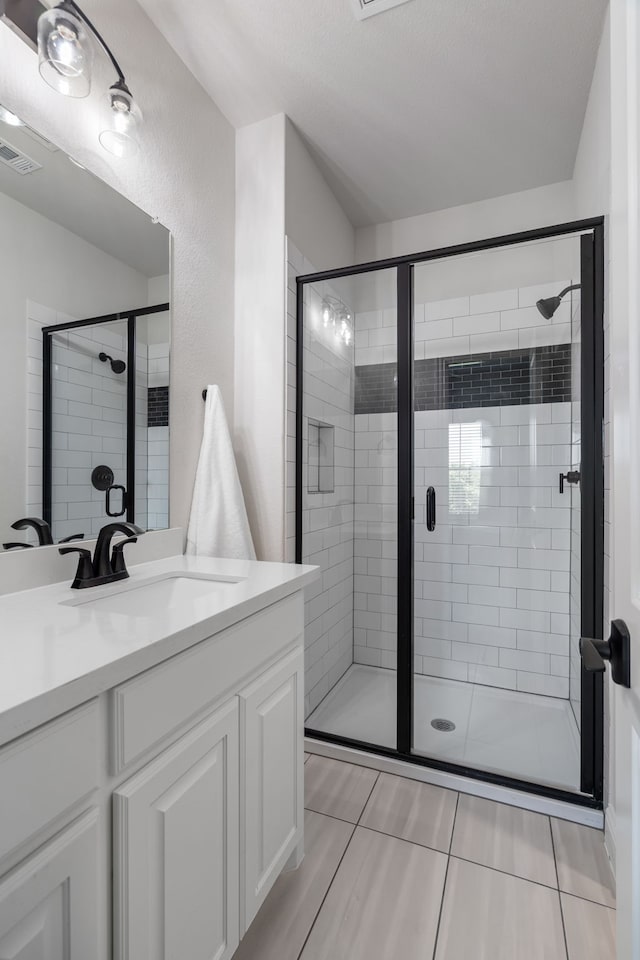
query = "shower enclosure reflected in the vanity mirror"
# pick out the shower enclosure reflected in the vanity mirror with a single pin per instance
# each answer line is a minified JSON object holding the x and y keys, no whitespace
{"x":103,"y":448}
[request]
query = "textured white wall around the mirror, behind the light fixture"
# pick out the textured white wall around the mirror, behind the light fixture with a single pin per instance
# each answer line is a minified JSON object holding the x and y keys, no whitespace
{"x":183,"y":175}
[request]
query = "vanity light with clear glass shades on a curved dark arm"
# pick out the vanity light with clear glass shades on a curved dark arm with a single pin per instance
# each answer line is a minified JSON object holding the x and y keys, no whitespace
{"x":65,"y":49}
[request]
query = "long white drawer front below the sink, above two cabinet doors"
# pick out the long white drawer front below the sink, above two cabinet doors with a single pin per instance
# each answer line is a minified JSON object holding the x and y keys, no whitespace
{"x":151,"y":706}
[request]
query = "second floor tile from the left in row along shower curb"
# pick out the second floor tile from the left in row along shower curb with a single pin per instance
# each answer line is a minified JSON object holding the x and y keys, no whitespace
{"x":413,"y":811}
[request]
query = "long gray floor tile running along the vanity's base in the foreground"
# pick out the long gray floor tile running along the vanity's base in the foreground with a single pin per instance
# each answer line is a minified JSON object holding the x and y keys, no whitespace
{"x":285,"y":918}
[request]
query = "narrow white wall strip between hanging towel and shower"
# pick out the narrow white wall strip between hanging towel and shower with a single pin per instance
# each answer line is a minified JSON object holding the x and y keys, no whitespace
{"x":260,"y":329}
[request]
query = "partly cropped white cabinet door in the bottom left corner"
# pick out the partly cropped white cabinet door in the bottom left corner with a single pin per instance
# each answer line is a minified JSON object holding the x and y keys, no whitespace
{"x":49,"y":904}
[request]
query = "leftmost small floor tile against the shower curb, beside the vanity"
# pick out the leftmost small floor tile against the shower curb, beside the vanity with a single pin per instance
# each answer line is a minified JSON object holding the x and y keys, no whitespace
{"x":337,"y":789}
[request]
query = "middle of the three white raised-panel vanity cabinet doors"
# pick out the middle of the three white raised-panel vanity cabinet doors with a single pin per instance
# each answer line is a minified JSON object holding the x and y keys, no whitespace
{"x":176,"y":854}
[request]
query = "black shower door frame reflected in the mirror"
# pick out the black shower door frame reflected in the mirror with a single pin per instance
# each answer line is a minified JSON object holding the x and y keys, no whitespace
{"x":47,"y":405}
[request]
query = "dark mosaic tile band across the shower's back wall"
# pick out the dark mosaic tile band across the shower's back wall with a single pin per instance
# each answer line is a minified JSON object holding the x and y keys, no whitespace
{"x":502,"y":378}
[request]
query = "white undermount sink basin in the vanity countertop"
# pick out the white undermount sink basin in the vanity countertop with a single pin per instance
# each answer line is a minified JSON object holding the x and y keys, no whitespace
{"x":146,"y":597}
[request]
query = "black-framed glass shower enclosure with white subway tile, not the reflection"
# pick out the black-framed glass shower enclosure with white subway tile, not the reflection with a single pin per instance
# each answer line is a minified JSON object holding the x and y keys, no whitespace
{"x":449,"y":482}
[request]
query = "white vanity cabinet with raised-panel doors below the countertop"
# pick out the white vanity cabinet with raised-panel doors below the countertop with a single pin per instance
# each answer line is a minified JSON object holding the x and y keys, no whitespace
{"x":164,"y":808}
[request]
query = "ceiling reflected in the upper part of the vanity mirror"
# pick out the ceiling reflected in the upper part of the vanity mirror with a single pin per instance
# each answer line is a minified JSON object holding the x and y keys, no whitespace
{"x":83,"y":204}
